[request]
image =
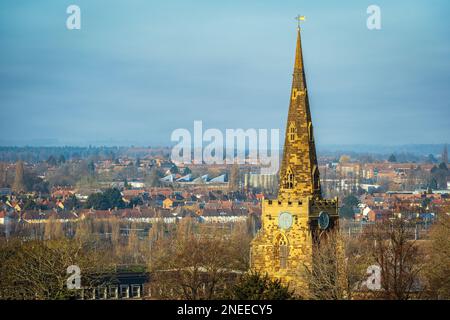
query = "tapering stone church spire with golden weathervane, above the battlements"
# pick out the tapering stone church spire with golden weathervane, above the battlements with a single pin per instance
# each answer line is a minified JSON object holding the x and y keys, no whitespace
{"x":299,"y":174}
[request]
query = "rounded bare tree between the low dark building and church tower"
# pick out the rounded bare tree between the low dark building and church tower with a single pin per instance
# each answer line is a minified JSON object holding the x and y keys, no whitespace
{"x":196,"y":263}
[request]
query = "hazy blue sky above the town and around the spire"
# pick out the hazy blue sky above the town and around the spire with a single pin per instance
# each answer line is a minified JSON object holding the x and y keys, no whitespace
{"x":139,"y":69}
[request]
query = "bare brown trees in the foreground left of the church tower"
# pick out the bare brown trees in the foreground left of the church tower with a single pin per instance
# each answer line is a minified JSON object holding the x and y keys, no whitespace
{"x":190,"y":260}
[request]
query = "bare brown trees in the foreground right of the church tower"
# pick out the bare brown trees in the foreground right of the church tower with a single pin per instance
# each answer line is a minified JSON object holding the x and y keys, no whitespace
{"x":409,"y":269}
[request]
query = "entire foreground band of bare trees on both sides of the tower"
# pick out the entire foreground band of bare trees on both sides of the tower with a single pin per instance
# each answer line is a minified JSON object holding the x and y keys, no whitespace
{"x":189,"y":260}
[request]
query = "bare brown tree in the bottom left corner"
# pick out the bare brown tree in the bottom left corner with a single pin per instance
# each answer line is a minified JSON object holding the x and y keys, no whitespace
{"x":37,"y":269}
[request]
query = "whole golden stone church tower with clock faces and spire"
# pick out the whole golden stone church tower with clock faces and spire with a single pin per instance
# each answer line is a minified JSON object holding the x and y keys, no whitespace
{"x":297,"y":219}
